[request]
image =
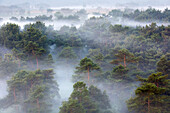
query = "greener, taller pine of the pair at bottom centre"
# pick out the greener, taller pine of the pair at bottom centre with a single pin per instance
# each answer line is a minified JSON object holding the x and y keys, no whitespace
{"x":79,"y":101}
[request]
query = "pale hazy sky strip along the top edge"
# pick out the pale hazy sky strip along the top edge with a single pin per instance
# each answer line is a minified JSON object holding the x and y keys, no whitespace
{"x":87,"y":2}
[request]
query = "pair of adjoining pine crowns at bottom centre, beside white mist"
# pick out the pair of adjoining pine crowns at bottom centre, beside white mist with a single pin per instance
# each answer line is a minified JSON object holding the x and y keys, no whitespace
{"x":83,"y":100}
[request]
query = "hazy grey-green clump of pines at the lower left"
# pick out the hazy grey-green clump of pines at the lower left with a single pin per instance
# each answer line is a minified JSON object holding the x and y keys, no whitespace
{"x":34,"y":91}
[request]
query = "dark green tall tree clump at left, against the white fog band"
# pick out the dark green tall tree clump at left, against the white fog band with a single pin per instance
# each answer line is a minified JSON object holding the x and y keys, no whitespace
{"x":29,"y":42}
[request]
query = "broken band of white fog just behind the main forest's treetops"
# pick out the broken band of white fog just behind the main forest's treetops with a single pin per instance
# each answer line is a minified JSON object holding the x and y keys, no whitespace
{"x":58,"y":24}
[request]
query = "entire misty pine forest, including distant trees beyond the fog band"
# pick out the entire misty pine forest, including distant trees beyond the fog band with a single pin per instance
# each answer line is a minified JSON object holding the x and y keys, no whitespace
{"x":114,"y":68}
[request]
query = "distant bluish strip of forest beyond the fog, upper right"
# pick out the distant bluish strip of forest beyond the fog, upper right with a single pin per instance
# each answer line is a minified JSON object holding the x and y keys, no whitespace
{"x":149,"y":15}
